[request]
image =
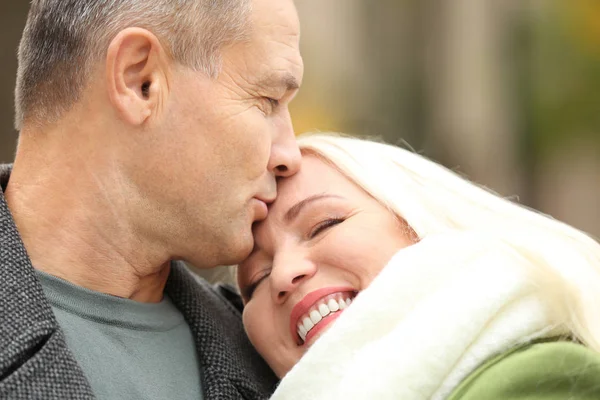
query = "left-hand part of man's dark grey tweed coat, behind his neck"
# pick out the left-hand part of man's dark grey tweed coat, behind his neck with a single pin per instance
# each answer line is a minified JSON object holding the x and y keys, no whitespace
{"x":35,"y":360}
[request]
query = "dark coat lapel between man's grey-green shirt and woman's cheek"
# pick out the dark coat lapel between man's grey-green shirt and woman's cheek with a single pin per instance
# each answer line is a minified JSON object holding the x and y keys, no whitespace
{"x":231,"y":367}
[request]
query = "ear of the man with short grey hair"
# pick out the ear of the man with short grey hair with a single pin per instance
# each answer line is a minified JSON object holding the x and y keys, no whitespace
{"x":136,"y":74}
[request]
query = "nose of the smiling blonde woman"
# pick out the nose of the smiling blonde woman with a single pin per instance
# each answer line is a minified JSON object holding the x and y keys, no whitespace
{"x":287,"y":274}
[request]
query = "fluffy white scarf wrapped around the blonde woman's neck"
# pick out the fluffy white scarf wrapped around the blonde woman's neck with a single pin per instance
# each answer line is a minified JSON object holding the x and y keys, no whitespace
{"x":438,"y":310}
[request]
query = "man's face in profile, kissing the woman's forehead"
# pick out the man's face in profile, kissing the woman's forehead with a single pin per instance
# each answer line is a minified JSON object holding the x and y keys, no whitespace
{"x":227,"y":139}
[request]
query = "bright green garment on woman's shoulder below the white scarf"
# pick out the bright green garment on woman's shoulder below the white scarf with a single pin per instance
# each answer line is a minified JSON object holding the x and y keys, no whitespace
{"x":556,"y":370}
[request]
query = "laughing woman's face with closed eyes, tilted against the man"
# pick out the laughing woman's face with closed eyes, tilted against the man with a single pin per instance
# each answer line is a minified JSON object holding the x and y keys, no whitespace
{"x":323,"y":242}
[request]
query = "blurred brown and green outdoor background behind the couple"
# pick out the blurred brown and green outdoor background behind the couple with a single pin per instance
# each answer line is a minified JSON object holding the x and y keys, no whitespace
{"x":507,"y":92}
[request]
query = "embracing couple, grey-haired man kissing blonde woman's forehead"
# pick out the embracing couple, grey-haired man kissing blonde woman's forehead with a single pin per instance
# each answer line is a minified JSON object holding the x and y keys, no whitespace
{"x":155,"y":130}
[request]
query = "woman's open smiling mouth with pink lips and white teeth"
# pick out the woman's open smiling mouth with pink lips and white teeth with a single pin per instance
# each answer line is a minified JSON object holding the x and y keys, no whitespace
{"x":317,"y":310}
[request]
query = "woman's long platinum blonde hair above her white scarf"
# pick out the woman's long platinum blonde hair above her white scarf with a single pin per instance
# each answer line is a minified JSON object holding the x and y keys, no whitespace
{"x":564,"y":261}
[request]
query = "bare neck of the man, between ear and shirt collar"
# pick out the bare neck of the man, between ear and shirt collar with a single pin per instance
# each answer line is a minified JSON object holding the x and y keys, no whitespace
{"x":75,"y":225}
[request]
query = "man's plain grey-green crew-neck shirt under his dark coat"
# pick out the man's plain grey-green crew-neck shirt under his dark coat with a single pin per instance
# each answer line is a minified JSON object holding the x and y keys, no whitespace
{"x":127,"y":349}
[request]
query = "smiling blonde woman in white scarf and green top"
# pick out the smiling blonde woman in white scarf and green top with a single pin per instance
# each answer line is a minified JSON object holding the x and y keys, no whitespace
{"x":439,"y":289}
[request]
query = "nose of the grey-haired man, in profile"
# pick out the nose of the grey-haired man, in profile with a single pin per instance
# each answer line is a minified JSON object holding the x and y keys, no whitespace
{"x":285,"y":154}
